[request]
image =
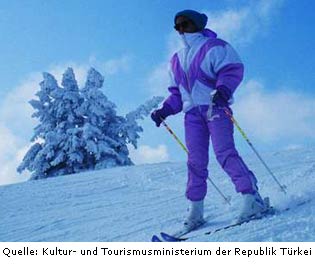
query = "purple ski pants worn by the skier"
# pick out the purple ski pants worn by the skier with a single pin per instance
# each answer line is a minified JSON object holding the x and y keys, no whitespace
{"x":198,"y":131}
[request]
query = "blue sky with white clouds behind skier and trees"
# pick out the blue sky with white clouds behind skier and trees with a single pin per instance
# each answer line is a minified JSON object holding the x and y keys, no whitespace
{"x":130,"y":43}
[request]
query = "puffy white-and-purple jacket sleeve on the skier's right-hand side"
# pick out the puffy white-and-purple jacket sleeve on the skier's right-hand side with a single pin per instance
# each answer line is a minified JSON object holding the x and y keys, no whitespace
{"x":227,"y":67}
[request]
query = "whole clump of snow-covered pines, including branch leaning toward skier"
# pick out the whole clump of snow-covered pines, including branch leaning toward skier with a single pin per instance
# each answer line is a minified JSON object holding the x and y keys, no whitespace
{"x":80,"y":130}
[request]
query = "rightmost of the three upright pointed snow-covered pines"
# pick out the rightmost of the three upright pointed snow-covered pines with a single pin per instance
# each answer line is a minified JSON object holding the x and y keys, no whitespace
{"x":104,"y":147}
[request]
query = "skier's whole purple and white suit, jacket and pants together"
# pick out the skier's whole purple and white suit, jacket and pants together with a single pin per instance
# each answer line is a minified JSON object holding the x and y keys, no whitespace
{"x":205,"y":64}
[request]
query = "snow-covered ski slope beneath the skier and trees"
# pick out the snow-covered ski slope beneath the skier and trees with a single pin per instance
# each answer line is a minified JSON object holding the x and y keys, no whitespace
{"x":132,"y":203}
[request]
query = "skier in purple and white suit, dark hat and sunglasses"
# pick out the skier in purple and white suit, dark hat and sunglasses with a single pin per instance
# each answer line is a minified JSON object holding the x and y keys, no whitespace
{"x":203,"y":78}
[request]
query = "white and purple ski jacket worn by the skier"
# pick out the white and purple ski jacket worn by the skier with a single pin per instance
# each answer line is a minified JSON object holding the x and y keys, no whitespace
{"x":203,"y":65}
